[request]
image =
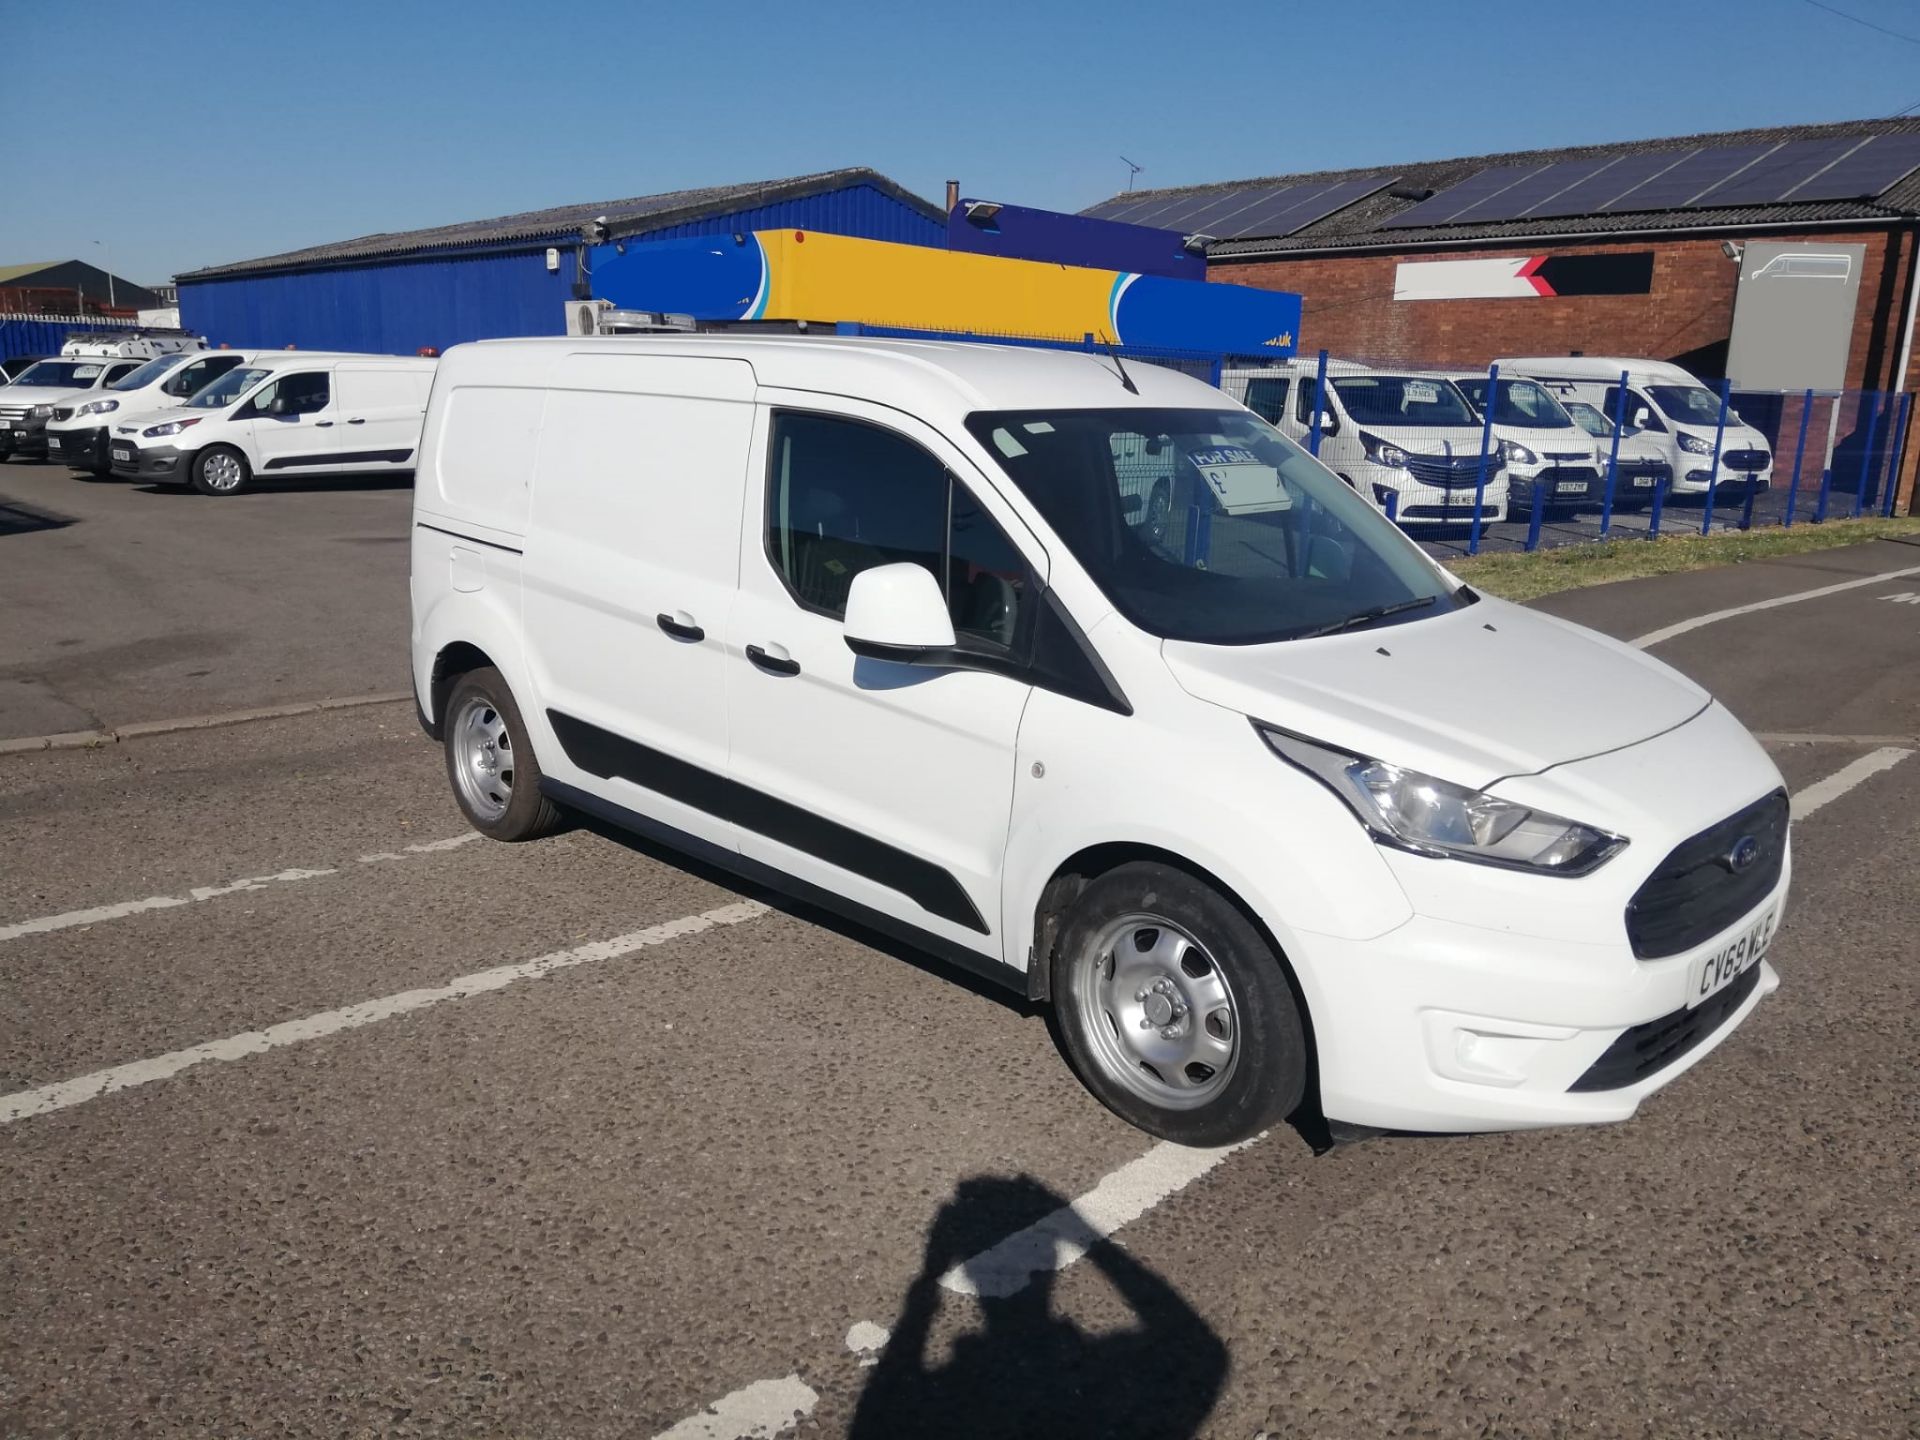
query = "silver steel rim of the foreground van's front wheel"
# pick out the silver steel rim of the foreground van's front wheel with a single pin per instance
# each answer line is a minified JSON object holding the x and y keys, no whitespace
{"x":1159,"y":1013}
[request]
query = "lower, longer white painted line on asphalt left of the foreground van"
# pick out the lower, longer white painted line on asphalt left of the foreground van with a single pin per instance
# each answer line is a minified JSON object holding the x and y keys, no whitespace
{"x":368,"y":1013}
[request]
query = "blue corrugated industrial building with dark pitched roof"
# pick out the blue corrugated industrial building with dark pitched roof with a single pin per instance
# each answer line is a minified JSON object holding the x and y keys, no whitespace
{"x":514,"y":276}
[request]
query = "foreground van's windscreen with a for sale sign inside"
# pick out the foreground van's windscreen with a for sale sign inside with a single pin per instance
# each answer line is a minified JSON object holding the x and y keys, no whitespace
{"x":1211,"y":525}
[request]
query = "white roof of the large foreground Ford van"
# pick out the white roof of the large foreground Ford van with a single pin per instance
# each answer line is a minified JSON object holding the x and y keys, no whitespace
{"x":903,"y":373}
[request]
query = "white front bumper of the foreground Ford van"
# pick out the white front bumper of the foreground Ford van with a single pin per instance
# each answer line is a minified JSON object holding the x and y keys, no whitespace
{"x":1443,"y":1026}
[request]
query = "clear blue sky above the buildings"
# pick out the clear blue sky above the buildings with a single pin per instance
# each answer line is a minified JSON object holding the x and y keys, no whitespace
{"x":245,"y":132}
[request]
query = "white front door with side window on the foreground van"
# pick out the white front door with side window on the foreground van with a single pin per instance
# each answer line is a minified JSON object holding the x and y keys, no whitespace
{"x":886,"y":784}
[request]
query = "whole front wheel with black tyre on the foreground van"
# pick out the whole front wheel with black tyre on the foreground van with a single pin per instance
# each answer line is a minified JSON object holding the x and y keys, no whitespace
{"x":1174,"y":1009}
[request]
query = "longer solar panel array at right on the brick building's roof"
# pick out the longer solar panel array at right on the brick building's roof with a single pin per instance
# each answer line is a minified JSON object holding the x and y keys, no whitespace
{"x":1710,"y":178}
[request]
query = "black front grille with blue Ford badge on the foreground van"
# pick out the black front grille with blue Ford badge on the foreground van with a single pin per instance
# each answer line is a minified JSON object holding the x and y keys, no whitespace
{"x":1696,"y":894}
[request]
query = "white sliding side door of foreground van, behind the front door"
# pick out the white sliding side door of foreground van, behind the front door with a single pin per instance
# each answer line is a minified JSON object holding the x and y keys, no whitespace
{"x":629,"y":577}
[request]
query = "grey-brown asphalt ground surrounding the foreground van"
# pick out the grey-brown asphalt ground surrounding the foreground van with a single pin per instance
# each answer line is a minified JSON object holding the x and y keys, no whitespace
{"x":322,"y":1118}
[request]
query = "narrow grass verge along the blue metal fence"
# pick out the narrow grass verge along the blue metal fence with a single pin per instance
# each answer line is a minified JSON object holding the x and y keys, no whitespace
{"x":1524,"y":577}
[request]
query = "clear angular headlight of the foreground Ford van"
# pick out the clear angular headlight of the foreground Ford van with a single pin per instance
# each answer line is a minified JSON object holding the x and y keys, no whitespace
{"x":1435,"y":817}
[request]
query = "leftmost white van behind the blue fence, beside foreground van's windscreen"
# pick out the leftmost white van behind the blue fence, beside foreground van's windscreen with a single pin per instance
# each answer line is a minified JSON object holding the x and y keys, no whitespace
{"x":1385,"y":433}
